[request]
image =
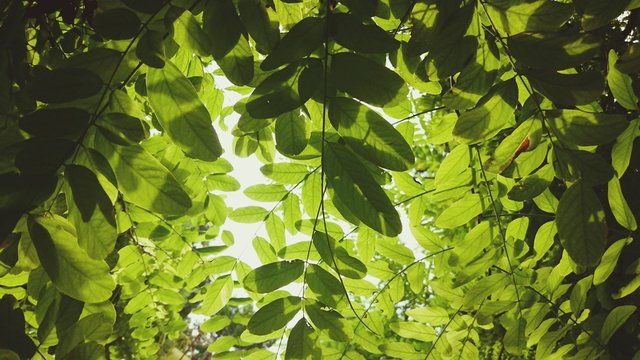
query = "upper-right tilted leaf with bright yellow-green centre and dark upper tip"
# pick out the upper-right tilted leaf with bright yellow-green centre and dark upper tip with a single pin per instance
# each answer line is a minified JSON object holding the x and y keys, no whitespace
{"x":493,"y":113}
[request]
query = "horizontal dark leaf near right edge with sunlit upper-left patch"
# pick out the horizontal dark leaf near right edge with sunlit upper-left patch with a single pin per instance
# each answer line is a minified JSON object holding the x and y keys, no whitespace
{"x":583,"y":128}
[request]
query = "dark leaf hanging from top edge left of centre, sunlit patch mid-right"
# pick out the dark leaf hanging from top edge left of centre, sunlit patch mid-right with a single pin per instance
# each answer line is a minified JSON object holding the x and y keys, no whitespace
{"x":229,"y":45}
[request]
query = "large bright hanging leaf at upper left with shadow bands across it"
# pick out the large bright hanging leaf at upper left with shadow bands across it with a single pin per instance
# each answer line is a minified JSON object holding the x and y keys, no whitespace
{"x":181,"y":113}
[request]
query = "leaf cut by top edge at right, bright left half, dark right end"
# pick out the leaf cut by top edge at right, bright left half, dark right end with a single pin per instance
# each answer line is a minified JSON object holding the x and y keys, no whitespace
{"x":515,"y":17}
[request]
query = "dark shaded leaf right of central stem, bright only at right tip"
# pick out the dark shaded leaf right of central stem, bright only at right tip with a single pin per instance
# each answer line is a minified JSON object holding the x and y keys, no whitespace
{"x":367,"y":80}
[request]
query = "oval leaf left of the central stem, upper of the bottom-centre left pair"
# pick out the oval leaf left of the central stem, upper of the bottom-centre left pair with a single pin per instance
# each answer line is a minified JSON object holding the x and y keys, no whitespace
{"x":271,"y":277}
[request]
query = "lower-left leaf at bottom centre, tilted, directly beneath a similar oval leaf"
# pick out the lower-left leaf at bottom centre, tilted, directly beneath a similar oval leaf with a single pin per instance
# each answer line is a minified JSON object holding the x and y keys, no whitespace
{"x":274,"y":316}
